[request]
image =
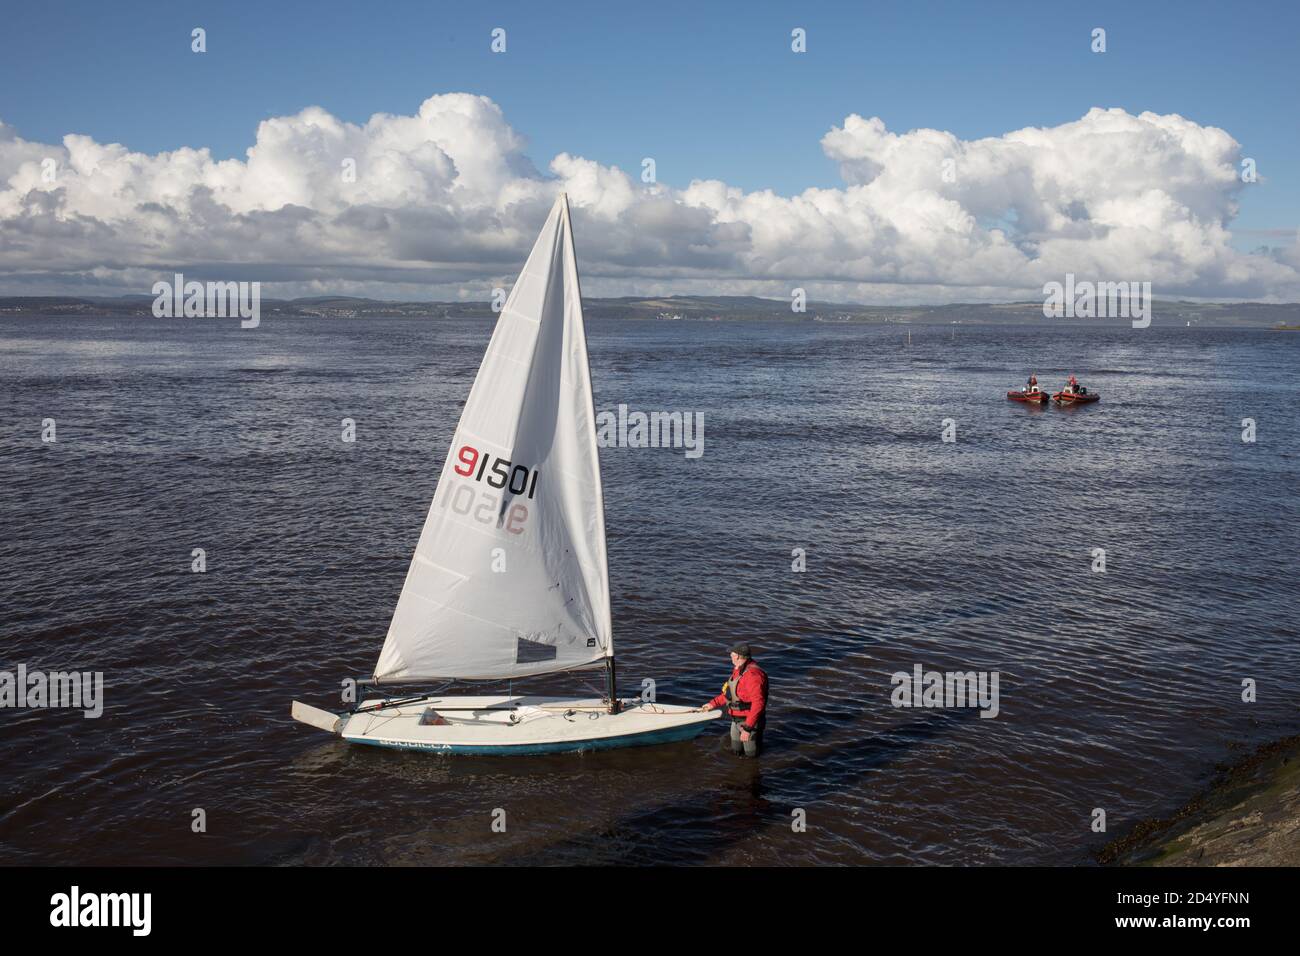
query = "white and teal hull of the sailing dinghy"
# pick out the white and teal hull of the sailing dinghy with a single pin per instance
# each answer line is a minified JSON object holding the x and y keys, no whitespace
{"x":518,"y":726}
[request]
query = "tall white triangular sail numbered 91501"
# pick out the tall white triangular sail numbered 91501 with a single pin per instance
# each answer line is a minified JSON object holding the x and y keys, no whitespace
{"x":510,"y":577}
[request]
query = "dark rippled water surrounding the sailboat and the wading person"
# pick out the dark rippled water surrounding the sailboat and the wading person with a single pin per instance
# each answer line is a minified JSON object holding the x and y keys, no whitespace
{"x":1117,"y":690}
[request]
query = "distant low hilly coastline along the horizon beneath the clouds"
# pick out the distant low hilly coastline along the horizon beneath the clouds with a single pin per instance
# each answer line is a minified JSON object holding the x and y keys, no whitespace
{"x":1256,"y":315}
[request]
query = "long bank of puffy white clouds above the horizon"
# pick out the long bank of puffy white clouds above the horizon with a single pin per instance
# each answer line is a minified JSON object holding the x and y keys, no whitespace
{"x":447,"y":204}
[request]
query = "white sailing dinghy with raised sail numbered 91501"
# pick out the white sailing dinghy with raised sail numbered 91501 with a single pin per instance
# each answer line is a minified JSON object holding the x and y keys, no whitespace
{"x":510,"y":578}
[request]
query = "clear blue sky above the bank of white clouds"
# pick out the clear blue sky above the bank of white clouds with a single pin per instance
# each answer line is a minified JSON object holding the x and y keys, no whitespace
{"x":710,"y":90}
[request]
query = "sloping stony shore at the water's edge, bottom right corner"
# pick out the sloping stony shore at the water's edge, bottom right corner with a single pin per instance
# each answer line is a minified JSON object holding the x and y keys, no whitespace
{"x":1249,"y":816}
